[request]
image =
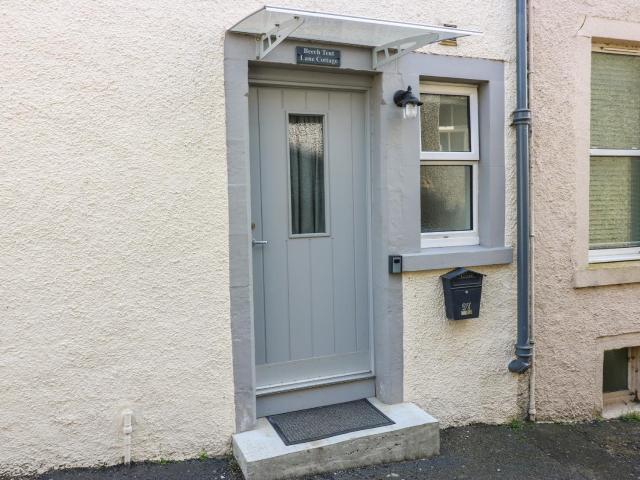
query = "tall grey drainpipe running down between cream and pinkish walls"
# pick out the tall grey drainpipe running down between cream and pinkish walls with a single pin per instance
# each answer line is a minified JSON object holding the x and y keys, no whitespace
{"x":522,"y":122}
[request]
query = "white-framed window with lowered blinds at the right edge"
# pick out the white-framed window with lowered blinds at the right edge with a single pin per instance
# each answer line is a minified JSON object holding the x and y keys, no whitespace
{"x":614,"y":184}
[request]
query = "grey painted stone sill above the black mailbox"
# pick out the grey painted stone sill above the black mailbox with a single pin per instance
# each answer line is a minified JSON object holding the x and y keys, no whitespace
{"x":452,"y":257}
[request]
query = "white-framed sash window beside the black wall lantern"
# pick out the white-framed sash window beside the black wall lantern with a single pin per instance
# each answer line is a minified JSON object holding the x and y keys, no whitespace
{"x":449,"y":165}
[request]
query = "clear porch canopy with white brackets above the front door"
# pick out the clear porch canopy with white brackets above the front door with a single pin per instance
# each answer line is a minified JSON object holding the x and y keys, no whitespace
{"x":388,"y":40}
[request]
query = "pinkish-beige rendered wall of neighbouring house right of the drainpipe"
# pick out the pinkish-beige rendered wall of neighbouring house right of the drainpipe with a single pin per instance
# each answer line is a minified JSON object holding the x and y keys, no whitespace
{"x":568,"y":321}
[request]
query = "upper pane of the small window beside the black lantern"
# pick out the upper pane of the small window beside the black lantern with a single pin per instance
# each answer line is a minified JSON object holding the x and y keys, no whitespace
{"x":445,"y":123}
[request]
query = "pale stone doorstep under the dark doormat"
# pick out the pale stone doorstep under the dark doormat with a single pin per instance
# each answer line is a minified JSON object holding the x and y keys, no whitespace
{"x":414,"y":434}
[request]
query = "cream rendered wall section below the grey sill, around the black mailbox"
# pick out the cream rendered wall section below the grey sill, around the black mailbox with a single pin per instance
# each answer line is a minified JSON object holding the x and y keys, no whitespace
{"x":457,"y":371}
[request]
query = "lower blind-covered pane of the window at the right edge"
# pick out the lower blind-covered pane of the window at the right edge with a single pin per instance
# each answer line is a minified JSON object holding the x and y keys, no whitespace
{"x":614,"y":202}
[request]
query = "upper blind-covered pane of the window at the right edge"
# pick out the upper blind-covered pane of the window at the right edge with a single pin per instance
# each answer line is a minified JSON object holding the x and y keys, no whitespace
{"x":615,"y":101}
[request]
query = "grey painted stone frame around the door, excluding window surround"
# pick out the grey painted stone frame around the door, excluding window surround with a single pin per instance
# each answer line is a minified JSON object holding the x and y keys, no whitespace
{"x":394,"y":207}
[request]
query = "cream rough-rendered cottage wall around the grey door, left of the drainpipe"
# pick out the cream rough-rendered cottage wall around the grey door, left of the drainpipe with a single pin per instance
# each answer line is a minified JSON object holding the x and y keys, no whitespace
{"x":114,"y":268}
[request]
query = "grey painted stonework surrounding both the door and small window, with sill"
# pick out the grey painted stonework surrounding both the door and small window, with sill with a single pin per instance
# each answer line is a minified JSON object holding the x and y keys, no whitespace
{"x":395,"y":195}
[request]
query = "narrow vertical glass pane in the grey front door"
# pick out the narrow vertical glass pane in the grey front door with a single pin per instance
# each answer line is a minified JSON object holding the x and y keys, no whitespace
{"x":306,"y":157}
